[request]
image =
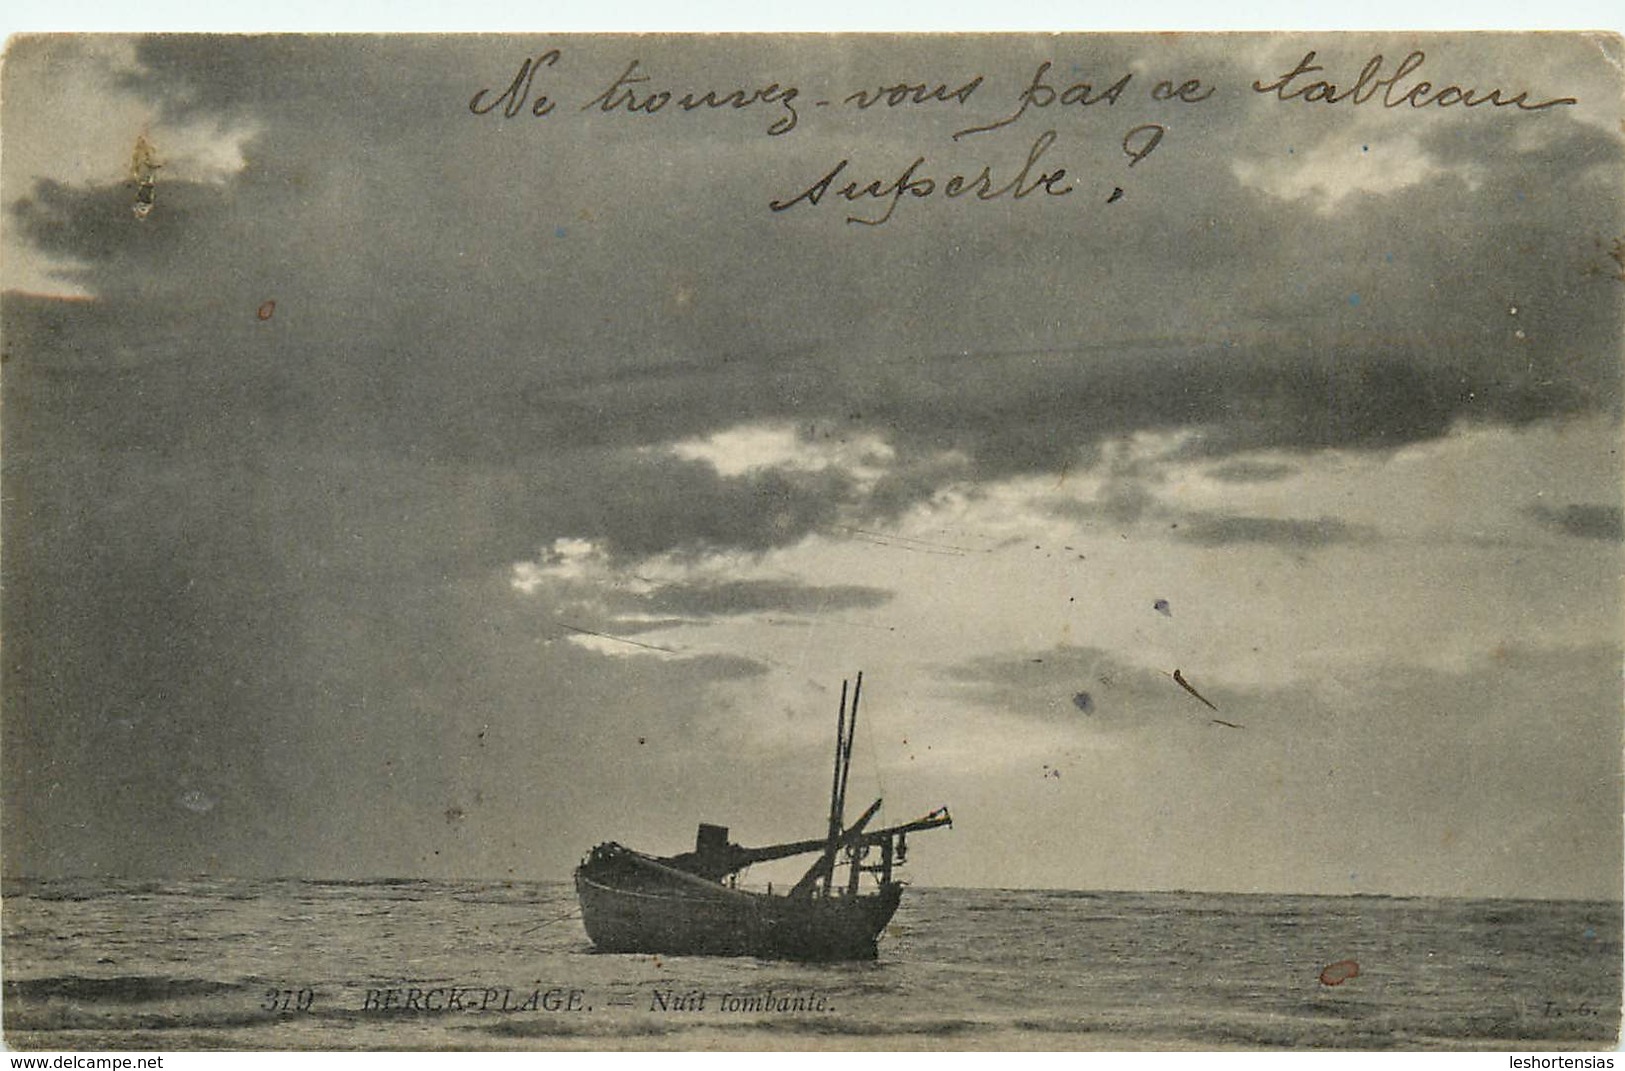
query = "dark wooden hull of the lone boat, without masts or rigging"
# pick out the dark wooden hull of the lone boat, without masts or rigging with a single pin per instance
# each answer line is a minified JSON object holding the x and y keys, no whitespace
{"x":691,"y":921}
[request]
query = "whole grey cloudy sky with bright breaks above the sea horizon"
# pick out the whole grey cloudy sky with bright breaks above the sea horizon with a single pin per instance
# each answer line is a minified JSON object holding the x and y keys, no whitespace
{"x":418,"y":492}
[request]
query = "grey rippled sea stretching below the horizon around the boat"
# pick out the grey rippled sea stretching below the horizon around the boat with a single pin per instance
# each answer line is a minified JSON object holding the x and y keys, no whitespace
{"x":505,"y":965}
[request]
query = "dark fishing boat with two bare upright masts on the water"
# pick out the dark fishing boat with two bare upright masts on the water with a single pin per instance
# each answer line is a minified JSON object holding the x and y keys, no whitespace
{"x":691,"y":904}
